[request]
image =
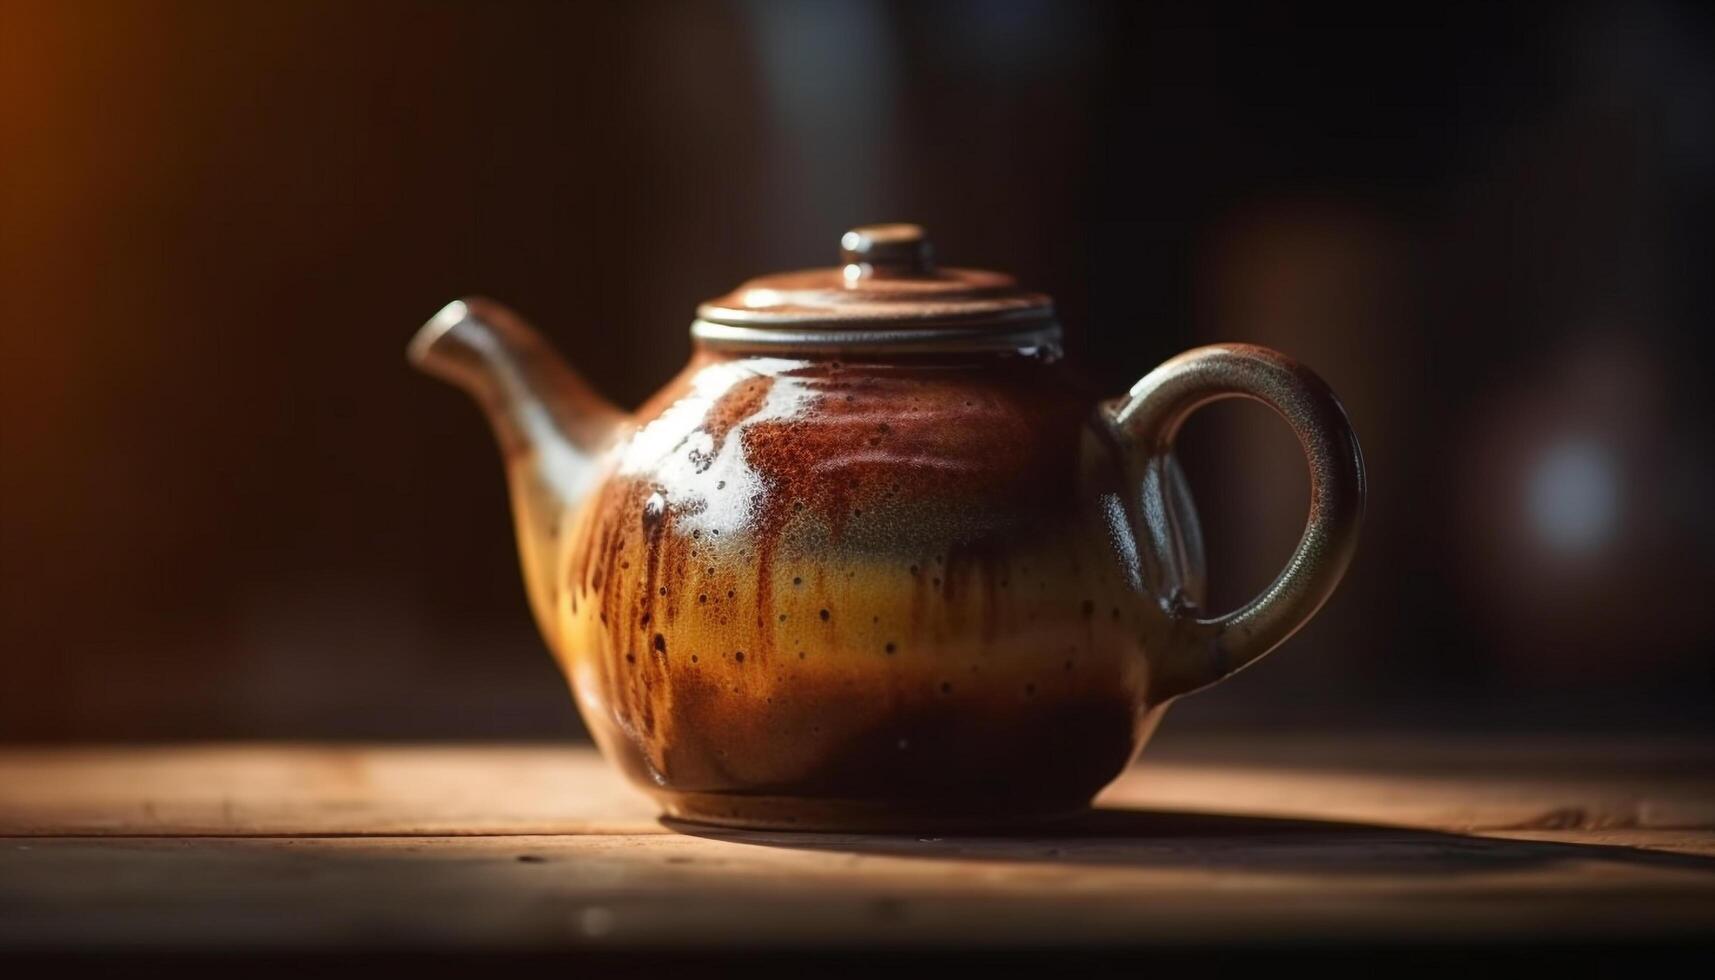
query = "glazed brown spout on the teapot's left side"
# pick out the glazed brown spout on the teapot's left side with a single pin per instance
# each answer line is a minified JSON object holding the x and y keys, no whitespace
{"x":551,"y":425}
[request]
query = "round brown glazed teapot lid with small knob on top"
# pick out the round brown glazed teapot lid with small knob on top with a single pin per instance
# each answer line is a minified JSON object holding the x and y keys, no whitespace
{"x":886,"y":293}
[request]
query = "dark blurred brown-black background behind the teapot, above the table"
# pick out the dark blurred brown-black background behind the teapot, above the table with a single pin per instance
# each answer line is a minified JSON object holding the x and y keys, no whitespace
{"x":227,"y":507}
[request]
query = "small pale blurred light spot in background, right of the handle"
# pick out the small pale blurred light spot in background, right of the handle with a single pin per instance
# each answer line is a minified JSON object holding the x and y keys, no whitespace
{"x":1574,"y":497}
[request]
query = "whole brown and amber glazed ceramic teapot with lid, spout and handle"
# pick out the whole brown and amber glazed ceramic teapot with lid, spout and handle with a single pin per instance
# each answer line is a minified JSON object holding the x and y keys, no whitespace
{"x":877,"y":559}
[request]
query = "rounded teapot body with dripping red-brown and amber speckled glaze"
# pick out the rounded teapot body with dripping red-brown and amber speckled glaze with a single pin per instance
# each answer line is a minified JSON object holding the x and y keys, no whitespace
{"x":870,"y":593}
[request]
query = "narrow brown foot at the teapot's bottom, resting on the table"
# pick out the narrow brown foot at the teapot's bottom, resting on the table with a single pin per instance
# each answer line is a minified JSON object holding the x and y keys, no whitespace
{"x":864,"y":816}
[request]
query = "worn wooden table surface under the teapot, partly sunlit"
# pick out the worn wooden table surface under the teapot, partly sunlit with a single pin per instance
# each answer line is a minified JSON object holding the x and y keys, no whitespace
{"x":1236,"y":842}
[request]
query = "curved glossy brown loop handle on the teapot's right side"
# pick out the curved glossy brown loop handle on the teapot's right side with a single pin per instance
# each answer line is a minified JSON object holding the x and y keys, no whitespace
{"x":1148,"y":421}
